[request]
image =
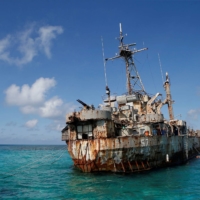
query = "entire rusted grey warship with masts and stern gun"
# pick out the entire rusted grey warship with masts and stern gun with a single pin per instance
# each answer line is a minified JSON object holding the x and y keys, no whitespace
{"x":128,"y":133}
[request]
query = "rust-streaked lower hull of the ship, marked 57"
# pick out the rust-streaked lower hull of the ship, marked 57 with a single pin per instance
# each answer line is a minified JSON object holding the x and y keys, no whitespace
{"x":132,"y":153}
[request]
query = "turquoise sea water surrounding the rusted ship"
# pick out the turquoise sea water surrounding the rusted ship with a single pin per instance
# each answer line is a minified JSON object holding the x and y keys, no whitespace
{"x":47,"y":172}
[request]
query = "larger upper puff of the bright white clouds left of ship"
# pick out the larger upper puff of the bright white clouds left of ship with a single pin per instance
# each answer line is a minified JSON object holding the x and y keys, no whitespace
{"x":29,"y":95}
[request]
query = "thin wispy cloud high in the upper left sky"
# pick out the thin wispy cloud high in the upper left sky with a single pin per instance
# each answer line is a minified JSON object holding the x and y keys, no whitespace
{"x":28,"y":43}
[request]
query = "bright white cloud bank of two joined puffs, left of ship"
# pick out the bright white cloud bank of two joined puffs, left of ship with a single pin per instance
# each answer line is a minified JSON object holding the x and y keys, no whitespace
{"x":32,"y":99}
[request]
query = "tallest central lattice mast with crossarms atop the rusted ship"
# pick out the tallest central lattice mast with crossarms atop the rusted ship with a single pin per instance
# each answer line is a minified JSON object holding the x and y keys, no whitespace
{"x":127,"y":54}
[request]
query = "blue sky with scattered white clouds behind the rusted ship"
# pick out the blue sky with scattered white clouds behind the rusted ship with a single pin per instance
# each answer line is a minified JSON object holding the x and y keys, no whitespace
{"x":51,"y":55}
